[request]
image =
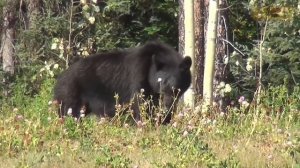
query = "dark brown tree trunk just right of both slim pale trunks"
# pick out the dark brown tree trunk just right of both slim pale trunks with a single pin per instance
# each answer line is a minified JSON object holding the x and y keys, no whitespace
{"x":222,"y":56}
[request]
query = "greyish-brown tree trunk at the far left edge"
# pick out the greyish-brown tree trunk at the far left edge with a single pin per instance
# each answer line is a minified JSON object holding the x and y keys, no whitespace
{"x":8,"y":36}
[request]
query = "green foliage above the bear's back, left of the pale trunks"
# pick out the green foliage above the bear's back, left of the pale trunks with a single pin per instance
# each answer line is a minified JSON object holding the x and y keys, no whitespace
{"x":63,"y":32}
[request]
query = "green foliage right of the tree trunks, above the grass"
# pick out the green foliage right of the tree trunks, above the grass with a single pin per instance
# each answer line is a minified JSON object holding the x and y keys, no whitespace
{"x":280,"y":49}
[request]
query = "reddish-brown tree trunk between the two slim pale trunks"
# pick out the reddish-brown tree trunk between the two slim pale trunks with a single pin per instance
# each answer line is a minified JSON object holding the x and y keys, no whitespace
{"x":199,"y":11}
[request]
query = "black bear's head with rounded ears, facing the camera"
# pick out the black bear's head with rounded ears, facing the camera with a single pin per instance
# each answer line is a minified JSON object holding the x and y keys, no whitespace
{"x":169,"y":74}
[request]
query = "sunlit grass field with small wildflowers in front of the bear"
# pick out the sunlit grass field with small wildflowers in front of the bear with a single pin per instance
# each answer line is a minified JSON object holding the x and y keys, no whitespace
{"x":31,"y":135}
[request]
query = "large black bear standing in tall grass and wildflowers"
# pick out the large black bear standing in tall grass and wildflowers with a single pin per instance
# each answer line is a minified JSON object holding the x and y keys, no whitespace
{"x":93,"y":82}
